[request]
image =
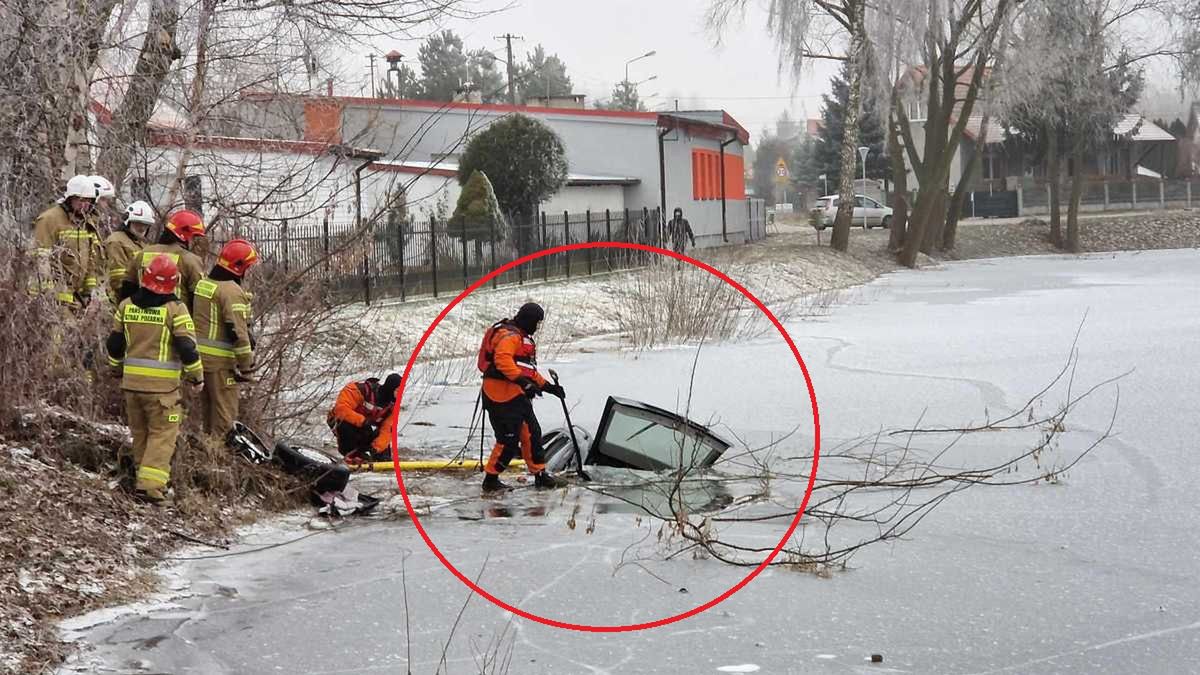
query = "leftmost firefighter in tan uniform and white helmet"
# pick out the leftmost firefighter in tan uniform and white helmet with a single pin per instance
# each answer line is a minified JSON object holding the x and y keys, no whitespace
{"x":68,"y":246}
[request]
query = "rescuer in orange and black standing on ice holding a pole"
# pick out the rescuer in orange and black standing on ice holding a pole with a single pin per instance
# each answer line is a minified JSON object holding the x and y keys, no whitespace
{"x":508,"y":359}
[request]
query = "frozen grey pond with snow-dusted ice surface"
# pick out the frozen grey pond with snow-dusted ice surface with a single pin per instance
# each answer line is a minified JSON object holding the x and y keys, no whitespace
{"x":1099,"y":574}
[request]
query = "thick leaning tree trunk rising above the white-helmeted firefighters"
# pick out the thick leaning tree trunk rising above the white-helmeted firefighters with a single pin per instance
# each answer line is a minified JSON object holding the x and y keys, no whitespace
{"x":128,"y":128}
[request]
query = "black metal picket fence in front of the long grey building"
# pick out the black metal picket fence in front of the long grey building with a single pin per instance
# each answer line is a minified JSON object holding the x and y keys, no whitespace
{"x":407,"y":258}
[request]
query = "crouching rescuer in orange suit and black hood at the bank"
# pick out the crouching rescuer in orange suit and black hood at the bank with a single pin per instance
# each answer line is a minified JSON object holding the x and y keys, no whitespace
{"x":363,"y":417}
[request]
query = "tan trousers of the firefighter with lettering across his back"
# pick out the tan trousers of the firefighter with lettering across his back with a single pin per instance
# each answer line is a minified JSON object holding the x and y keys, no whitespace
{"x":154,"y":420}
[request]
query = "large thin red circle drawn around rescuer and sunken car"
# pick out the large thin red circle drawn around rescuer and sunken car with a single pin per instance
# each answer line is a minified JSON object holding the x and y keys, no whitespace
{"x":631,"y":628}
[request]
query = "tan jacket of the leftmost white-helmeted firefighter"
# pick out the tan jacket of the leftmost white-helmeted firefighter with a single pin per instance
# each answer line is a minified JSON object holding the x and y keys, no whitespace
{"x":69,"y":254}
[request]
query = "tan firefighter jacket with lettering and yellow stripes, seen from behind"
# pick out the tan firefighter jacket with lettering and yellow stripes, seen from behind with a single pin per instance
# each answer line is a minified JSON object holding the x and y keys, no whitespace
{"x":154,"y":344}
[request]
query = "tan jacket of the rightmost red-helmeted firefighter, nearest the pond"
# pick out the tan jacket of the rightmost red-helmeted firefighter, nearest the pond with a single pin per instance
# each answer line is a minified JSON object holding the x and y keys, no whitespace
{"x":221,"y":310}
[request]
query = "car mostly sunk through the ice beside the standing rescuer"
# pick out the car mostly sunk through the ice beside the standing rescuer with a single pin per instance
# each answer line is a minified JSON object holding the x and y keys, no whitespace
{"x":637,"y":435}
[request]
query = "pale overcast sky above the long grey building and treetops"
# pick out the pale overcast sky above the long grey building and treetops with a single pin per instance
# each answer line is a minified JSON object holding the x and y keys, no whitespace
{"x":597,"y":38}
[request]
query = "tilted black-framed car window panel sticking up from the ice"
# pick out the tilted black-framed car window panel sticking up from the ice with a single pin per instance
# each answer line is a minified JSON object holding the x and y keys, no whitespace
{"x":641,"y":437}
